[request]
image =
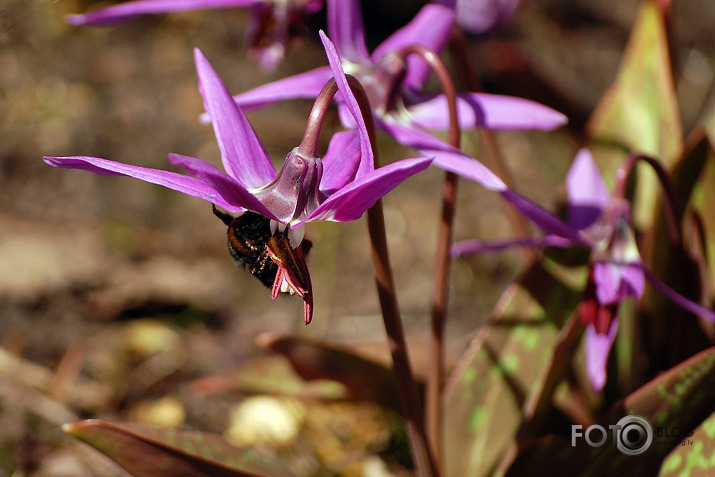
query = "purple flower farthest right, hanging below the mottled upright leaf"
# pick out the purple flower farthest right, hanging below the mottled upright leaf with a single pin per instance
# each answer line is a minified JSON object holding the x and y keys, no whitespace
{"x":603,"y":224}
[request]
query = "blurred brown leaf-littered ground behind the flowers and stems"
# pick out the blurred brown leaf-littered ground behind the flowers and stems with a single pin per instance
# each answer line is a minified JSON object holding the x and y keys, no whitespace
{"x":116,"y":295}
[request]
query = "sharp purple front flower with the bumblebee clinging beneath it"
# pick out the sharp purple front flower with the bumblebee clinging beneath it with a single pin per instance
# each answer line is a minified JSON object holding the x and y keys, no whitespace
{"x":339,"y":187}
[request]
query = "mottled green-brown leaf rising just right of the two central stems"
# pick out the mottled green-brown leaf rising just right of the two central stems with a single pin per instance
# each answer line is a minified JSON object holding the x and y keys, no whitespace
{"x":485,"y":396}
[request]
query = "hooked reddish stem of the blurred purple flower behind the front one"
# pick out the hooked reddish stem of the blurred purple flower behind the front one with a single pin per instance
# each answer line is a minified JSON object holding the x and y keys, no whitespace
{"x":440,"y":300}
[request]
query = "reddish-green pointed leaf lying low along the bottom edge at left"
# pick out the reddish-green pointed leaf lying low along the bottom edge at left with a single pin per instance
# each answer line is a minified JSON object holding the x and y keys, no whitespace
{"x":146,"y":451}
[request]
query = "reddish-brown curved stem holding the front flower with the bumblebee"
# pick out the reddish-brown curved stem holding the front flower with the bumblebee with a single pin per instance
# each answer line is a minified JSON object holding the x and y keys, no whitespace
{"x":425,"y":463}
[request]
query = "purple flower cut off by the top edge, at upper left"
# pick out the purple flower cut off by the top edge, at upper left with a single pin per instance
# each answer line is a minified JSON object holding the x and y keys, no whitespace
{"x":274,"y":24}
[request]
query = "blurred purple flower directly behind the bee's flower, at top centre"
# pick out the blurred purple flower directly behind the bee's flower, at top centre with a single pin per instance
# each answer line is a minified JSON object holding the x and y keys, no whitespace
{"x":382,"y":71}
